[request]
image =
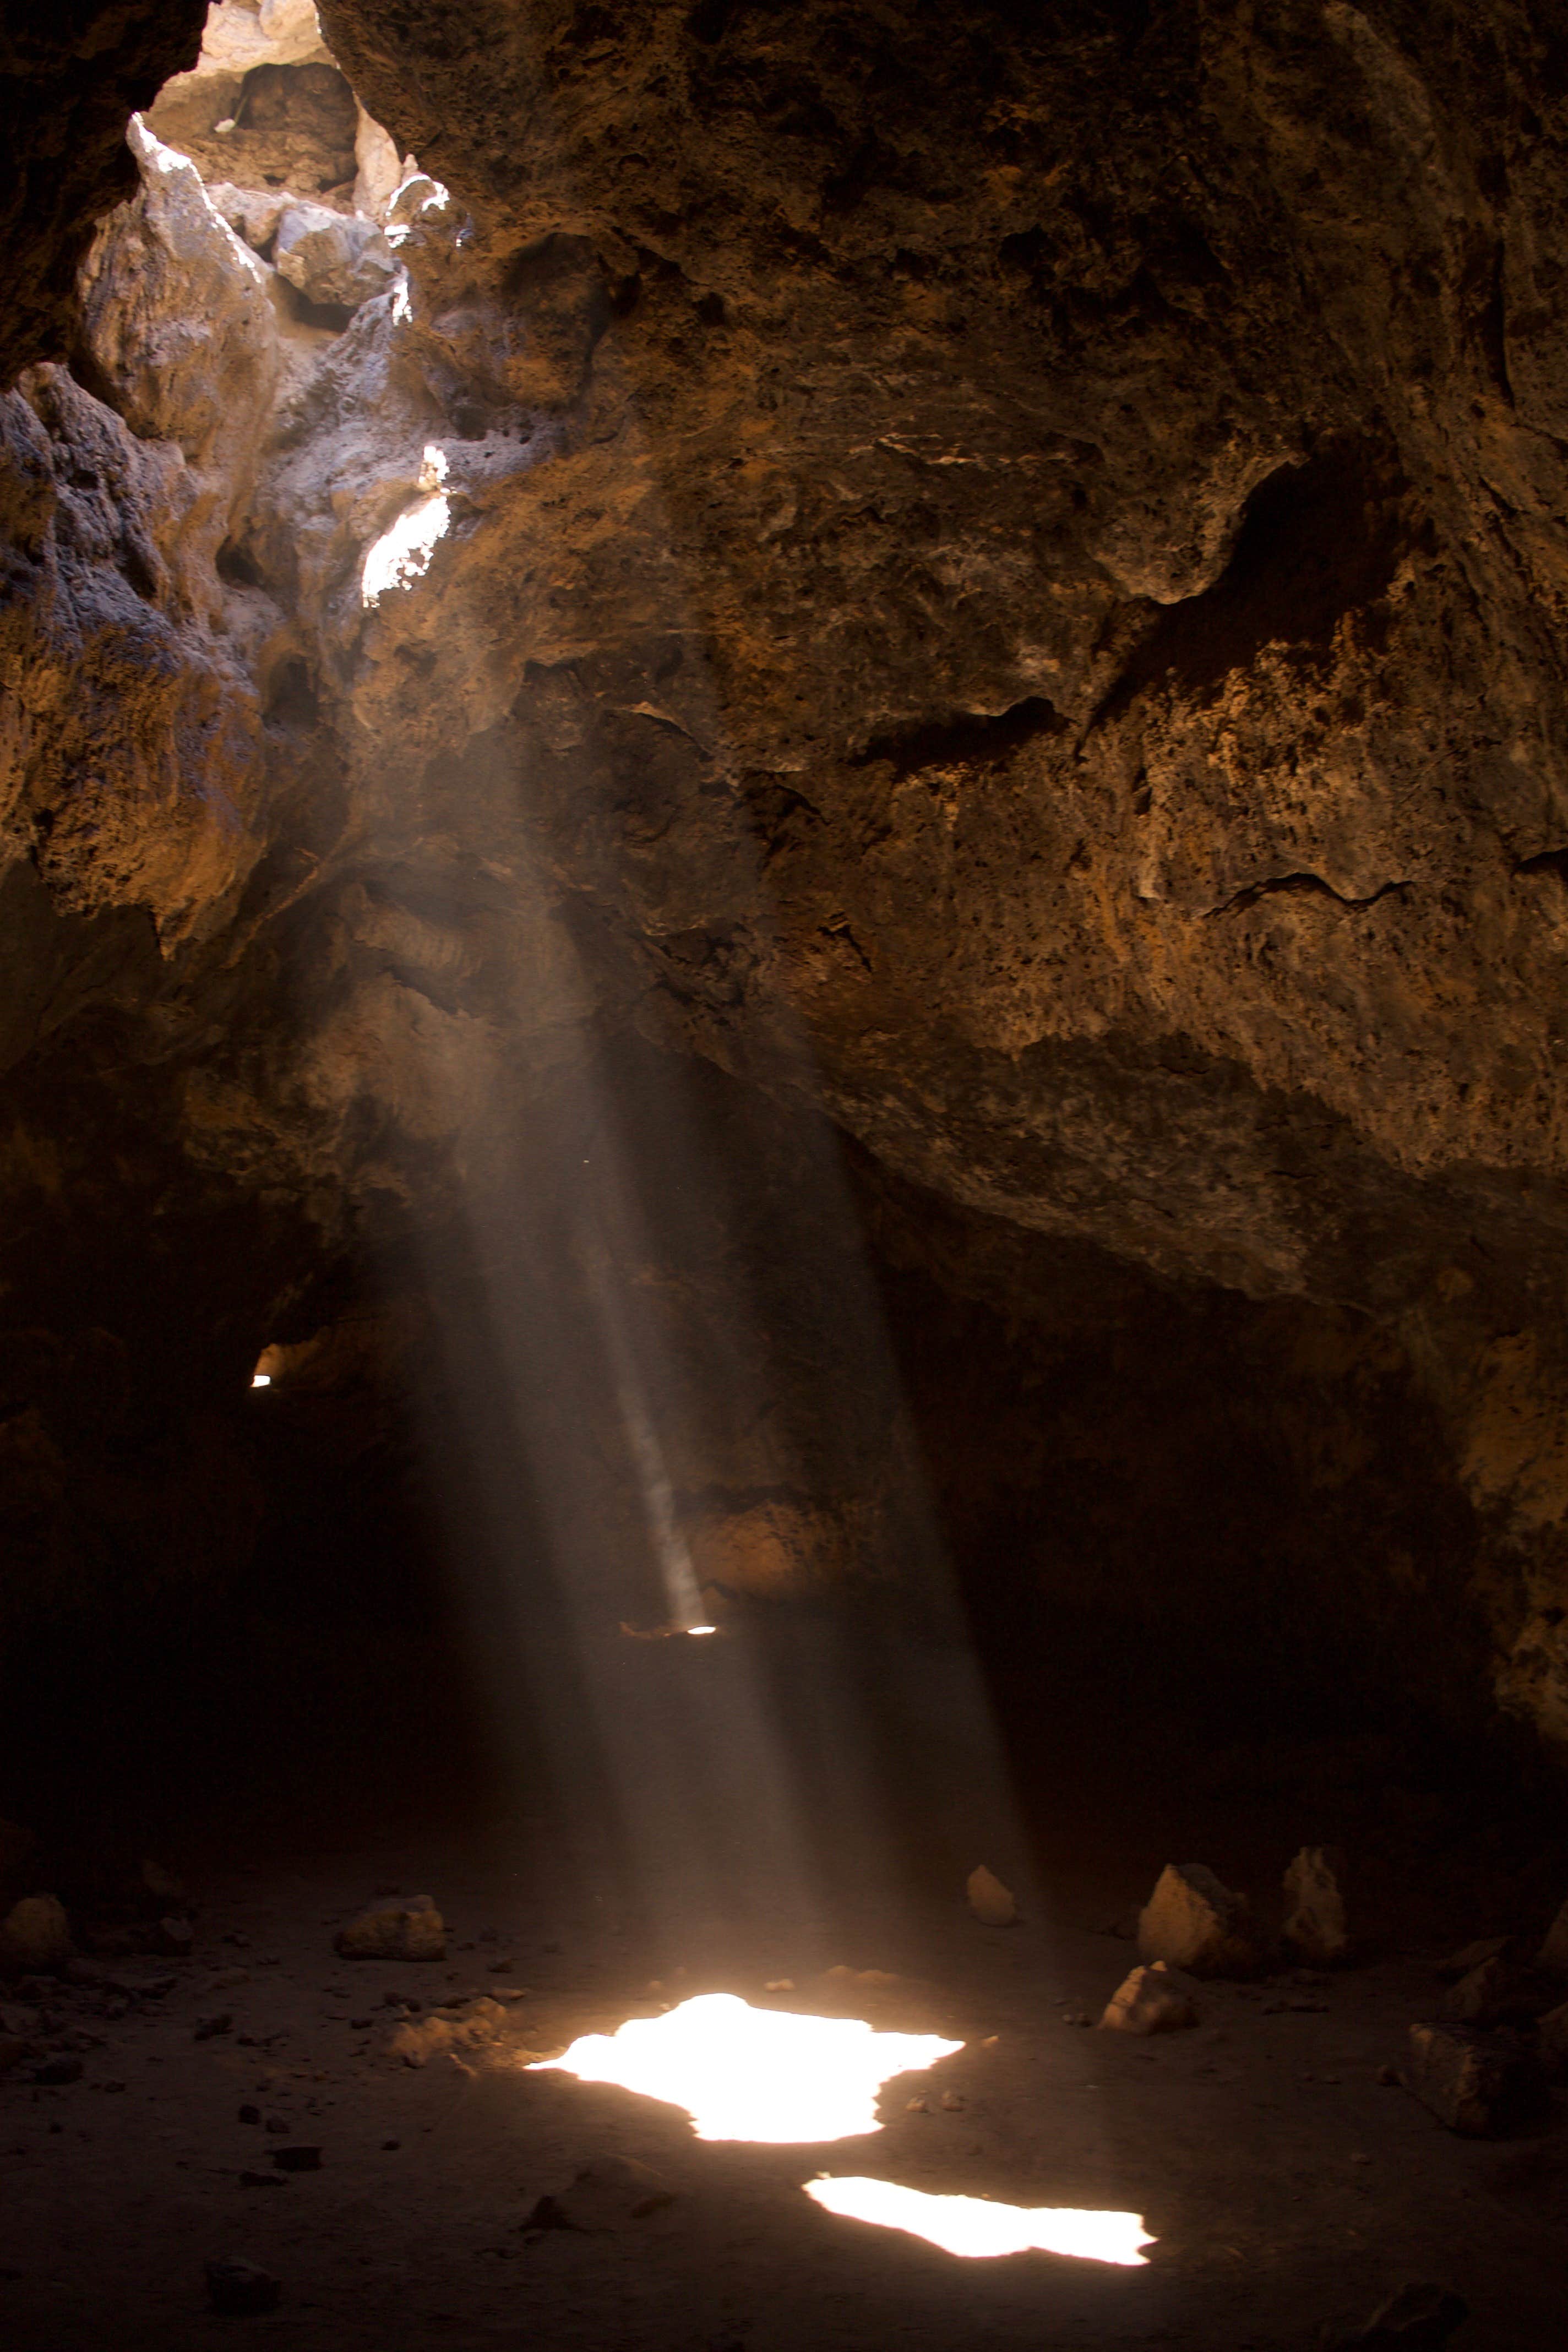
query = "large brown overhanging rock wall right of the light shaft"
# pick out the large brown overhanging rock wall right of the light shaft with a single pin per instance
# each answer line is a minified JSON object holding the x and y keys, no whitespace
{"x":1115,"y":589}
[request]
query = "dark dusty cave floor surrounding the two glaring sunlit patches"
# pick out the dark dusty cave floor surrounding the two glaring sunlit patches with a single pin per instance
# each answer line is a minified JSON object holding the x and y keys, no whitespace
{"x":1287,"y":2186}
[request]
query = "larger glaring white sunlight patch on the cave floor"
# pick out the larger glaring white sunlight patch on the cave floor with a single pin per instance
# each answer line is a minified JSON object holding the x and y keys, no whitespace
{"x":753,"y":2073}
